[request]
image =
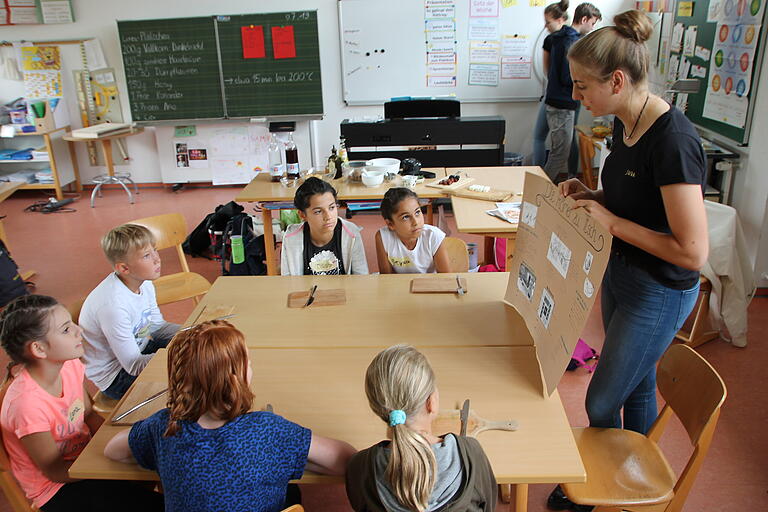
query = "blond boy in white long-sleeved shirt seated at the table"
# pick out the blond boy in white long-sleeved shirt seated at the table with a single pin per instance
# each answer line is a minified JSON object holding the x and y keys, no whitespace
{"x":121,"y":322}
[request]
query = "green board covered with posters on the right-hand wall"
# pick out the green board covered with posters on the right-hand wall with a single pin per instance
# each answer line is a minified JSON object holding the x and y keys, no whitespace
{"x":726,"y":57}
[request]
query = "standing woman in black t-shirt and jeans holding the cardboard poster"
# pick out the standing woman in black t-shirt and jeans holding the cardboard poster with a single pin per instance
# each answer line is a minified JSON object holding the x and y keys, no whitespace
{"x":652,"y":204}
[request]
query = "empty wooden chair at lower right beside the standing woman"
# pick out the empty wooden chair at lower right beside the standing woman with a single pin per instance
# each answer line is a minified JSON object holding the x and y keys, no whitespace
{"x":626,"y":470}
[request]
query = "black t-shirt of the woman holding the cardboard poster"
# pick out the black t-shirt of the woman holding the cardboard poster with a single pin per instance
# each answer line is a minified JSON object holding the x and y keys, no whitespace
{"x":669,"y":152}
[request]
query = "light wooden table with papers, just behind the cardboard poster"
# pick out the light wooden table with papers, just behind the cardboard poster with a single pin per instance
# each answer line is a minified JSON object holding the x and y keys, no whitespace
{"x":470,"y":213}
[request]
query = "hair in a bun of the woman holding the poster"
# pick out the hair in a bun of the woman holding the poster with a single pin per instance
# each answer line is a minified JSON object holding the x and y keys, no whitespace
{"x":619,"y":47}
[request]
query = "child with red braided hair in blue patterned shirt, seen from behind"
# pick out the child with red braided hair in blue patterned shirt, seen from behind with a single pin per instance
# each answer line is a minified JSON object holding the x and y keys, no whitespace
{"x":210,"y":451}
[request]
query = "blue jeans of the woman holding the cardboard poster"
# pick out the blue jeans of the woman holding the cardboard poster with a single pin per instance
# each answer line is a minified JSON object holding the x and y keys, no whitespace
{"x":641,"y":317}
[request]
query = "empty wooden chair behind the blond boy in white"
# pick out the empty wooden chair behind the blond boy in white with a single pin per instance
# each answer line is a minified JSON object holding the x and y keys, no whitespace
{"x":170,"y":230}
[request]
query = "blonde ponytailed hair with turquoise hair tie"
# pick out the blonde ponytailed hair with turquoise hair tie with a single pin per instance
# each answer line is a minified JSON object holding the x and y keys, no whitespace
{"x":400,"y":378}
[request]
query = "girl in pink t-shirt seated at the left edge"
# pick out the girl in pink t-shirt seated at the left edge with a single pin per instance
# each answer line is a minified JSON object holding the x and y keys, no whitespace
{"x":46,"y":416}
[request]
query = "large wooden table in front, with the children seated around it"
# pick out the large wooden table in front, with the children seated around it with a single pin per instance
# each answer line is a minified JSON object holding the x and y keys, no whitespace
{"x":310,"y":366}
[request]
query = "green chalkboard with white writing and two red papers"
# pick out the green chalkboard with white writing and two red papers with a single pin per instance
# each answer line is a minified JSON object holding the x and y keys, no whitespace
{"x":197,"y":68}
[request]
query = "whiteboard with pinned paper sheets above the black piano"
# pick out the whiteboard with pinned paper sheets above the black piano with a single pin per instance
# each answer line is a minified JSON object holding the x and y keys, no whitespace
{"x":386,"y":45}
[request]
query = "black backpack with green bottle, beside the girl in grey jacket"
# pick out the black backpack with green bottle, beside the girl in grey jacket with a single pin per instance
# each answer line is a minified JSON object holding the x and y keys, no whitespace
{"x":253,"y":247}
